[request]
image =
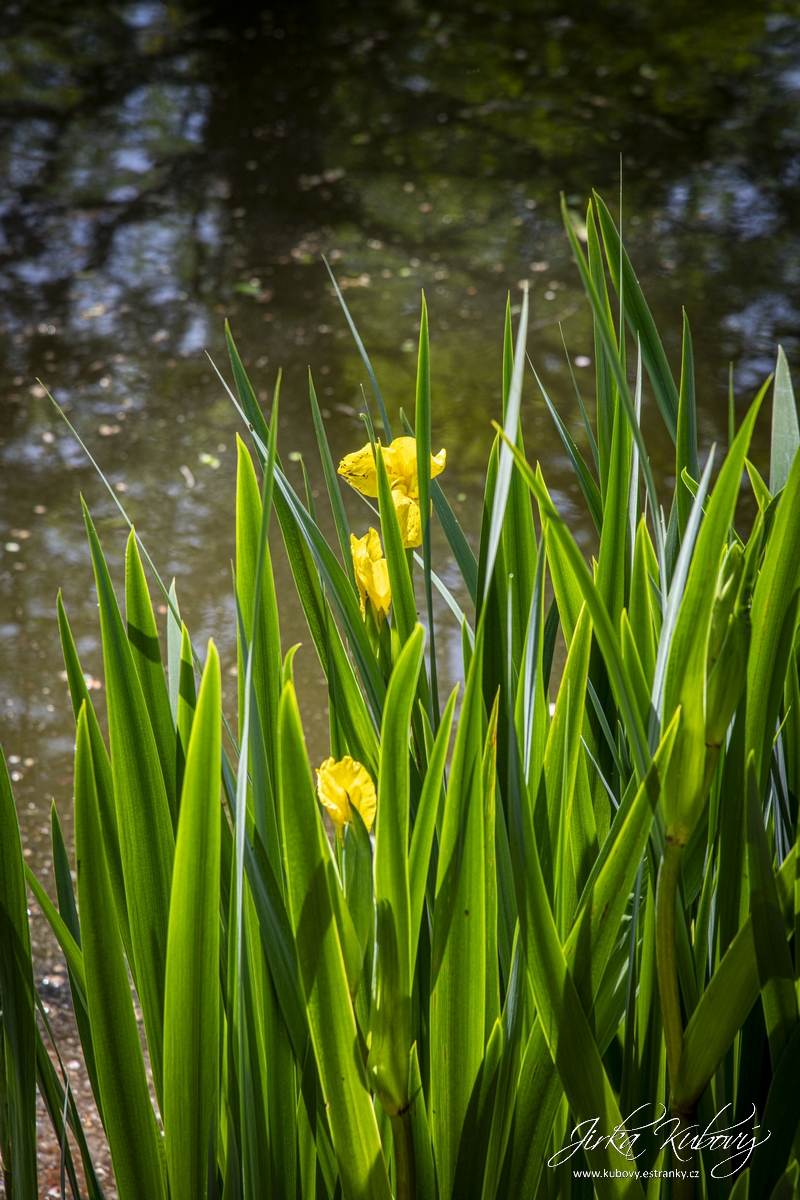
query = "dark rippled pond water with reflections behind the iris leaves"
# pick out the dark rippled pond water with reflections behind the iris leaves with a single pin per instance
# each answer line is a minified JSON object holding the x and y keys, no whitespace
{"x":166,"y":167}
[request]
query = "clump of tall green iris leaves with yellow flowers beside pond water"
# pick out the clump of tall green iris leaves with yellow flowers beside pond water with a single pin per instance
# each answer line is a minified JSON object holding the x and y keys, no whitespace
{"x":551,"y":946}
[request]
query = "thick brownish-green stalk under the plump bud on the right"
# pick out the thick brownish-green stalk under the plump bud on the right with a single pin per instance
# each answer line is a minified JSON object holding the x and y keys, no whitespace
{"x":667,"y":967}
